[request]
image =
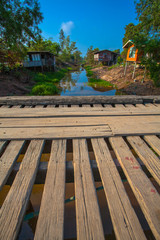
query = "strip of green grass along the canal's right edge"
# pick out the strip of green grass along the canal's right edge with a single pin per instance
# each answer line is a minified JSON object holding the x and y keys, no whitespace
{"x":94,"y":81}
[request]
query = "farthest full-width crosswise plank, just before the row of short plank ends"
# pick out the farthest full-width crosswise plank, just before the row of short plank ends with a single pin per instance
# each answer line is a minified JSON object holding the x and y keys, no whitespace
{"x":59,"y":112}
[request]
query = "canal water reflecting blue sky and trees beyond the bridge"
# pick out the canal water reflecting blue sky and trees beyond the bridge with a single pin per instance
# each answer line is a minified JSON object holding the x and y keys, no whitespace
{"x":75,"y":84}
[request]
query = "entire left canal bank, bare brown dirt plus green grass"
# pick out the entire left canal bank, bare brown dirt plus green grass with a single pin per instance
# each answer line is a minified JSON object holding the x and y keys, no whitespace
{"x":25,"y":82}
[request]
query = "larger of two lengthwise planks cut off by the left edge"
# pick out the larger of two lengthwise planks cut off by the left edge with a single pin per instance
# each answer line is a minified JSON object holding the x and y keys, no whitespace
{"x":8,"y":160}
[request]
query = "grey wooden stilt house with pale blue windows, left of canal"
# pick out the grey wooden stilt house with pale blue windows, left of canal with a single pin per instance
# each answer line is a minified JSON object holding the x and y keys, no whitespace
{"x":43,"y":59}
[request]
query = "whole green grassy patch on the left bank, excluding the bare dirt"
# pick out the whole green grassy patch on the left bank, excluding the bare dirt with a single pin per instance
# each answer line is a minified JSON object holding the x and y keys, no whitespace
{"x":47,"y":82}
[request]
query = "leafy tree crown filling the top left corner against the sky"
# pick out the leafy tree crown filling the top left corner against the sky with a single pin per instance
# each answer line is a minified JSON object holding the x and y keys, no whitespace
{"x":19,"y":21}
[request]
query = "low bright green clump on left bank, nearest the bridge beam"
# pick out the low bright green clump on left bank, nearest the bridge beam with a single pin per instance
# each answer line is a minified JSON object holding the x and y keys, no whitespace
{"x":44,"y":89}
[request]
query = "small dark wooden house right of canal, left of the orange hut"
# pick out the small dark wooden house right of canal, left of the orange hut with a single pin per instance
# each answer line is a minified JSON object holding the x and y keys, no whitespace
{"x":106,"y":57}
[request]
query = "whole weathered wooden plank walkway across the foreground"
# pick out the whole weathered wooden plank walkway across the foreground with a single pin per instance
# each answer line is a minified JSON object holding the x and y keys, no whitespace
{"x":125,"y":132}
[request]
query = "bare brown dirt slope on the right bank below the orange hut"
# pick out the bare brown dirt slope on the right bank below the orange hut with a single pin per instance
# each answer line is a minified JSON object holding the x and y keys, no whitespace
{"x":125,"y":84}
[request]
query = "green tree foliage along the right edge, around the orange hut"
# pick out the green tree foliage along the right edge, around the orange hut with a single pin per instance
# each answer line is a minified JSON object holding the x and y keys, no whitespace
{"x":146,"y":36}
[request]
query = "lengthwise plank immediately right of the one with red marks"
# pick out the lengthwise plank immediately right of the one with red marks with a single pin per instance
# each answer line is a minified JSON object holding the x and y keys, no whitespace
{"x":149,"y":159}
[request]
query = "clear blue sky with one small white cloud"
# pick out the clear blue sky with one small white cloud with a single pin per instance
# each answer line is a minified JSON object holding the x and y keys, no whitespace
{"x":88,"y":22}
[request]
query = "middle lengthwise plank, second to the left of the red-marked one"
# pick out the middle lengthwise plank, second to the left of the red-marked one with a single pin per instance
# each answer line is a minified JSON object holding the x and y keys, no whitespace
{"x":88,"y":218}
